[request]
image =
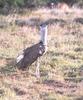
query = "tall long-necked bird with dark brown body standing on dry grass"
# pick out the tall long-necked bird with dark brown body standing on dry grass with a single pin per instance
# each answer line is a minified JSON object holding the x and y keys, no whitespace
{"x":34,"y":52}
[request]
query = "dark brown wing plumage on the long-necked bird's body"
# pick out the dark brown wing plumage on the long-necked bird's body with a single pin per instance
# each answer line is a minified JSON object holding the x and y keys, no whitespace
{"x":30,"y":55}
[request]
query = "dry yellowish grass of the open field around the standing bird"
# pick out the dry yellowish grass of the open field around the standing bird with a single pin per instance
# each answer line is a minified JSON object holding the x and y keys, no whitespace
{"x":61,"y":67}
